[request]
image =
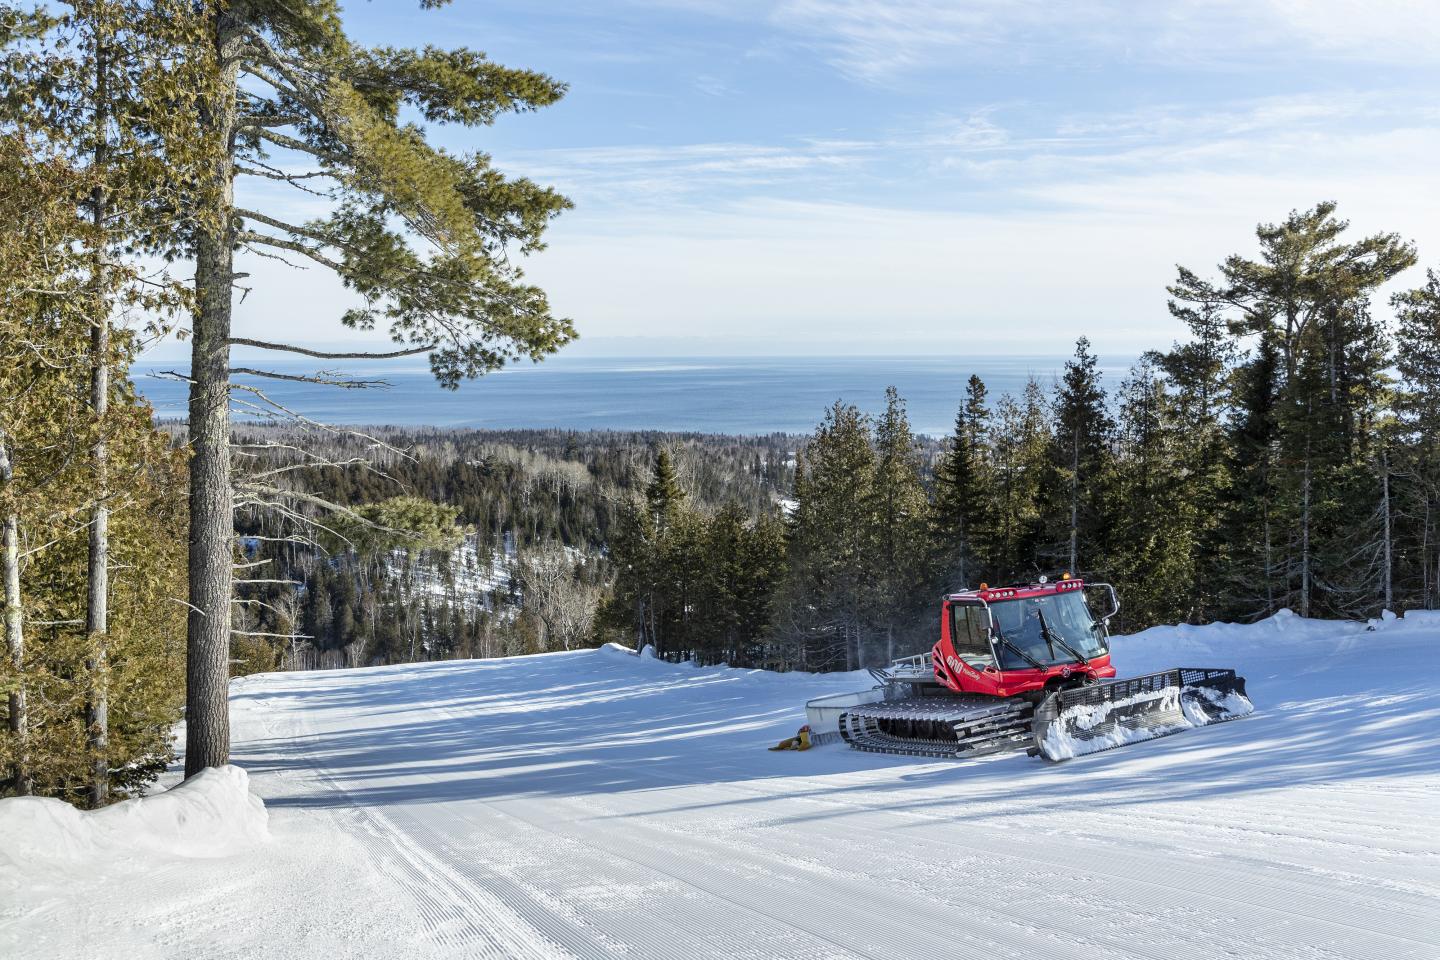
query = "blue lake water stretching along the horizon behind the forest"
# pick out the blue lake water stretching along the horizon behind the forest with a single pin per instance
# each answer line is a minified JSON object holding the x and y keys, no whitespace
{"x":729,"y":395}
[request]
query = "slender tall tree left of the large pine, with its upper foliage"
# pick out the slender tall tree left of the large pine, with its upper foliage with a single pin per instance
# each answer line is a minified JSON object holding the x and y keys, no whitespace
{"x":107,"y":87}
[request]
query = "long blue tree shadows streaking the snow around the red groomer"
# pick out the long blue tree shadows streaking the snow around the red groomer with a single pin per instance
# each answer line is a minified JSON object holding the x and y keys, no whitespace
{"x":570,"y":726}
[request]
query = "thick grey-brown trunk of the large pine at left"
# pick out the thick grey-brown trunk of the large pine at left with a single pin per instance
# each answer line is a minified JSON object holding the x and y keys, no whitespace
{"x":212,"y":522}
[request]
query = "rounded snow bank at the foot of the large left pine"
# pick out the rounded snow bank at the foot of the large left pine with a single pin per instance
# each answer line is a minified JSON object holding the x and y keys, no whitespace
{"x":214,"y":814}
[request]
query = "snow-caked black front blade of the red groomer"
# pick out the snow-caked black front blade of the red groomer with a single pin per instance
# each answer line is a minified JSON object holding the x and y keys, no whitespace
{"x":1082,"y":720}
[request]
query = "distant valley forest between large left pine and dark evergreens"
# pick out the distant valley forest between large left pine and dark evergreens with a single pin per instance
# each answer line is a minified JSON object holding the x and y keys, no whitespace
{"x":469,"y":543}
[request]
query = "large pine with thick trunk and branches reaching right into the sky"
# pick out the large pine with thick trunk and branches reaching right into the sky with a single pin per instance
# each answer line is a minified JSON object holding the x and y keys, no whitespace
{"x":420,"y":234}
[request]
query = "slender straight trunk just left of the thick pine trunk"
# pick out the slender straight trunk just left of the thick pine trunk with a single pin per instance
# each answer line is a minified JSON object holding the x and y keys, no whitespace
{"x":97,"y":599}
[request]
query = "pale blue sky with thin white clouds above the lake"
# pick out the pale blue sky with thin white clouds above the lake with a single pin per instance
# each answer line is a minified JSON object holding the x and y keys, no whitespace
{"x":918,"y":176}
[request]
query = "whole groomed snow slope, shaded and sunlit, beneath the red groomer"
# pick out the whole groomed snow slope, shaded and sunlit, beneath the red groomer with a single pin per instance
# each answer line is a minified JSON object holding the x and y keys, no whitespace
{"x":603,"y":805}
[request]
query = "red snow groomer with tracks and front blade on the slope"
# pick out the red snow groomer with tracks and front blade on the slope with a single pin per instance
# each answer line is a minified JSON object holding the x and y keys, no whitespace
{"x":1025,"y":666}
